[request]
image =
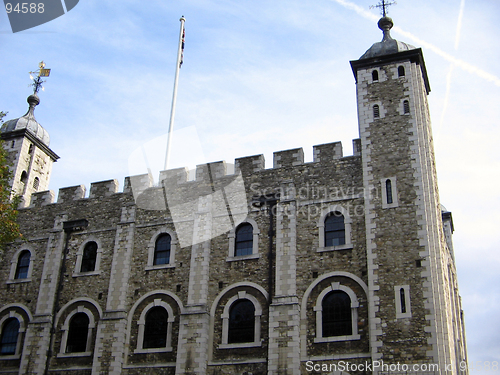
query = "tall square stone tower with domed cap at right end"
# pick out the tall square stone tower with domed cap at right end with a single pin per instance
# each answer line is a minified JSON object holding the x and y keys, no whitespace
{"x":414,"y":313}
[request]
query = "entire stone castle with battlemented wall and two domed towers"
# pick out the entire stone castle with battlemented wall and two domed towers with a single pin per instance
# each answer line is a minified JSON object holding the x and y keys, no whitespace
{"x":298,"y":268}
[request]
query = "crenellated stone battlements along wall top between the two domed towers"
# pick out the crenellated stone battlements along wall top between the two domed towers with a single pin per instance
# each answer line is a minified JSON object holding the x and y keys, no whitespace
{"x":205,"y":173}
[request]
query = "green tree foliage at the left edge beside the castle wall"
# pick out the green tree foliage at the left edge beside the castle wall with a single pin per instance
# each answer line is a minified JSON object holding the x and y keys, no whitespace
{"x":9,"y":229}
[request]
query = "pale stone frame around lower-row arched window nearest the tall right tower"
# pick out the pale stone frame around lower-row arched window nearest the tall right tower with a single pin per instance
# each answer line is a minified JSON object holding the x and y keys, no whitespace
{"x":318,"y":308}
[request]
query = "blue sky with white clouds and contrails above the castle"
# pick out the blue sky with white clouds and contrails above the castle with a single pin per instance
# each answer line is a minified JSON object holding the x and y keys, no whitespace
{"x":262,"y":76}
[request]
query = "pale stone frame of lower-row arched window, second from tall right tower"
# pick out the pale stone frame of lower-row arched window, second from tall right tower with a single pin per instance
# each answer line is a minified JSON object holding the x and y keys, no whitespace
{"x":225,"y":322}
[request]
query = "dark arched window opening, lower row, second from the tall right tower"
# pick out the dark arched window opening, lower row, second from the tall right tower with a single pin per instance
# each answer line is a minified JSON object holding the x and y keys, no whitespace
{"x":241,"y":322}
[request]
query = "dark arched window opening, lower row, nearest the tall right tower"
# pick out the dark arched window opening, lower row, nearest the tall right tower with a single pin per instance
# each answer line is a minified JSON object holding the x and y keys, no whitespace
{"x":337,"y":317}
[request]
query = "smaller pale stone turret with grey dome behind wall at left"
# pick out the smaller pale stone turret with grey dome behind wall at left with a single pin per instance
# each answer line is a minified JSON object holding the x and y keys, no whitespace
{"x":27,"y":145}
